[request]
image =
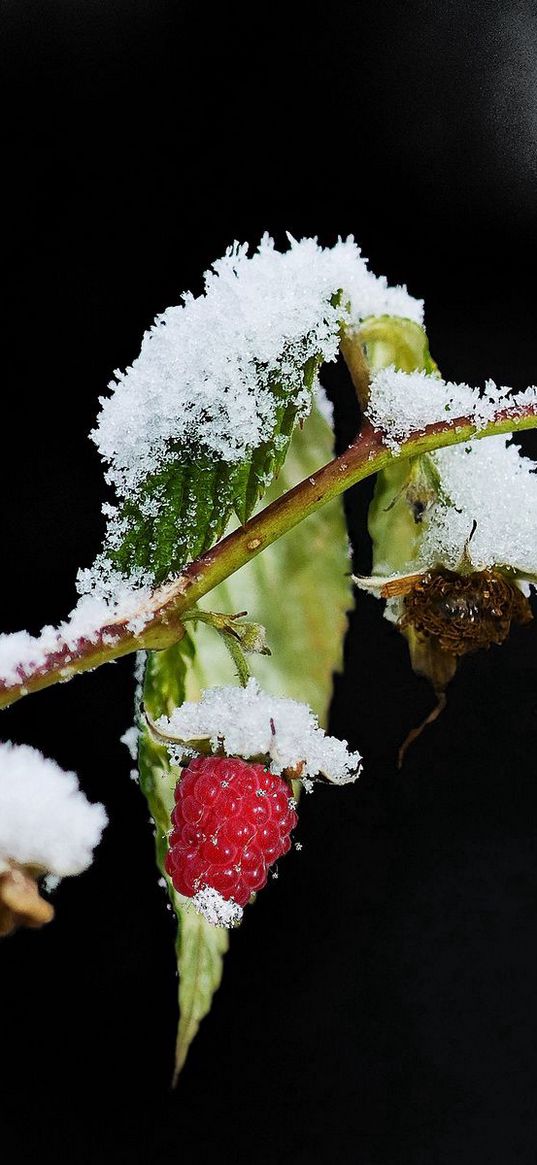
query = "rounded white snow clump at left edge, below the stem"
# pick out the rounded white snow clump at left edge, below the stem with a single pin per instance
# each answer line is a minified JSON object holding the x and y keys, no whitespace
{"x":46,"y":821}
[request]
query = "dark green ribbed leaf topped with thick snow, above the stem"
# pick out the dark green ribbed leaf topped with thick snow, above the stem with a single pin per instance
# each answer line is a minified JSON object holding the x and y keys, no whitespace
{"x":201,"y":422}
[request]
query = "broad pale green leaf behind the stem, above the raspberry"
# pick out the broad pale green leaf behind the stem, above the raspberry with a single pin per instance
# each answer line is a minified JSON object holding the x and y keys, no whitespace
{"x":299,"y":589}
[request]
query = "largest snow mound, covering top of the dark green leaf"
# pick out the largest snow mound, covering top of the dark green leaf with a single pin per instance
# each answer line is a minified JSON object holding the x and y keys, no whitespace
{"x":207,"y":369}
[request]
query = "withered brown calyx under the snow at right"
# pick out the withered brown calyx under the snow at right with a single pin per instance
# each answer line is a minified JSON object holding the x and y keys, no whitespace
{"x":464,"y":612}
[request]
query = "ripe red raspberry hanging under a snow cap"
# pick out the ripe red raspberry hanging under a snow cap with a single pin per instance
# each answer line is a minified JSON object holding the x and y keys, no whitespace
{"x":231,"y":822}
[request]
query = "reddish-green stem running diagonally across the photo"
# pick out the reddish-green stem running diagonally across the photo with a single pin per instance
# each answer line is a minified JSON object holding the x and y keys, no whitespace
{"x":58,"y":659}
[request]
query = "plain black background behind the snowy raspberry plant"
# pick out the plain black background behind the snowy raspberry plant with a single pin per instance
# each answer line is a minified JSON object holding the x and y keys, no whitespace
{"x":379,"y":1004}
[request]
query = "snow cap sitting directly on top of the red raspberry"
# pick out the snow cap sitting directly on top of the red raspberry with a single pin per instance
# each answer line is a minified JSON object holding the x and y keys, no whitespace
{"x":249,"y":723}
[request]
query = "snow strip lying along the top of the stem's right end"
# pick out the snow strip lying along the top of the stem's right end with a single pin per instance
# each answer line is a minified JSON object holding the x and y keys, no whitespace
{"x":402,"y":404}
